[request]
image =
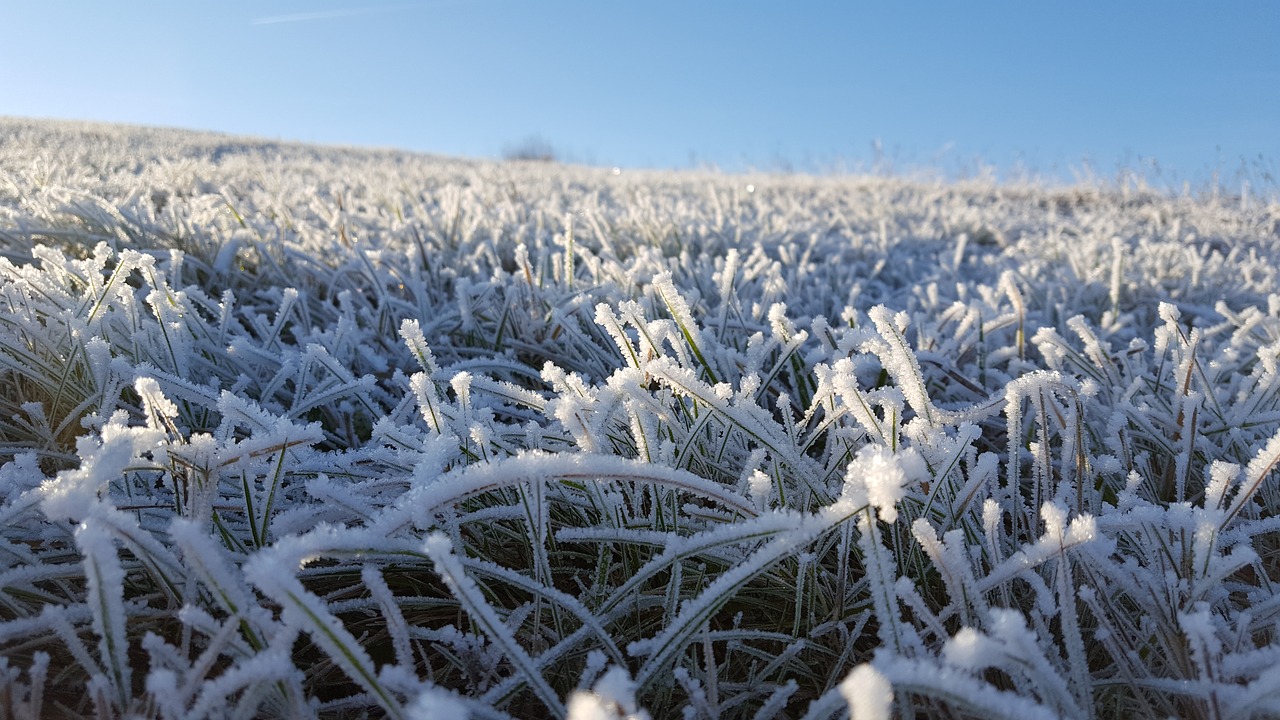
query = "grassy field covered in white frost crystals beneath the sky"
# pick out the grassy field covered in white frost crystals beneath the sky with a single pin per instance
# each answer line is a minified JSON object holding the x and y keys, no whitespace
{"x":298,"y":431}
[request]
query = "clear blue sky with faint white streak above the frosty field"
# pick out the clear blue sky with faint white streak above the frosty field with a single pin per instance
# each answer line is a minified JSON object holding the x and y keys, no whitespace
{"x":1194,"y":86}
